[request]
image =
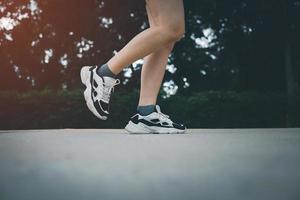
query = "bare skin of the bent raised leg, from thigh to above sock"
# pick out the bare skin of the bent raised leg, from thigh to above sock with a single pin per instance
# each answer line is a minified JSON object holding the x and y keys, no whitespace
{"x":169,"y":15}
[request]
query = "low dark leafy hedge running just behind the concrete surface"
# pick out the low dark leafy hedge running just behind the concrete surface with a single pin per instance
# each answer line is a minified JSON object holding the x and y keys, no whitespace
{"x":210,"y":109}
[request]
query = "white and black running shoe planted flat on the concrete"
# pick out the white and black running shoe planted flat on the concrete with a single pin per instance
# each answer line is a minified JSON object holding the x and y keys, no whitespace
{"x":155,"y":123}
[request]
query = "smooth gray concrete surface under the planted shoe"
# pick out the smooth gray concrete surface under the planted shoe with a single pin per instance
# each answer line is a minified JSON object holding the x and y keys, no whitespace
{"x":257,"y":164}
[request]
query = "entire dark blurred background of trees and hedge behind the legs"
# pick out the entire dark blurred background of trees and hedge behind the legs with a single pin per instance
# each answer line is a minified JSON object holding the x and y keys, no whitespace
{"x":237,"y":67}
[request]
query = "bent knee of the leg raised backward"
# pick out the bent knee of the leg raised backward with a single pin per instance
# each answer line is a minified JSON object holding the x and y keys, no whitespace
{"x":174,"y":32}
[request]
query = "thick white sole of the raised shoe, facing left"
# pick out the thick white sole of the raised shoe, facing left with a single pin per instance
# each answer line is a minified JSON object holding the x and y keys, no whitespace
{"x":85,"y":75}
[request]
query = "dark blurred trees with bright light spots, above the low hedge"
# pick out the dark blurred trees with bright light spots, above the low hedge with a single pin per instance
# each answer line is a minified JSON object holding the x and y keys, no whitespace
{"x":237,"y":44}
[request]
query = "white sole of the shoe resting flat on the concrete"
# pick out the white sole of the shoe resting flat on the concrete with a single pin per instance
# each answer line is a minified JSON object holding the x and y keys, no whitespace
{"x":140,"y":128}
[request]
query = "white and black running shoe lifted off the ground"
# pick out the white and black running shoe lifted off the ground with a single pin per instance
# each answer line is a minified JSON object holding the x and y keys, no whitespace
{"x":98,"y":91}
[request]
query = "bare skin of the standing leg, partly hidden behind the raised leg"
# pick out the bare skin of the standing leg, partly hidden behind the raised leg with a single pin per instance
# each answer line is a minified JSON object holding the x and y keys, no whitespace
{"x":153,"y":69}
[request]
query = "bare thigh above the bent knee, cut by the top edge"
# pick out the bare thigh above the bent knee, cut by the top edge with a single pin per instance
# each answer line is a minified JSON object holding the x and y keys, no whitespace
{"x":165,"y":12}
